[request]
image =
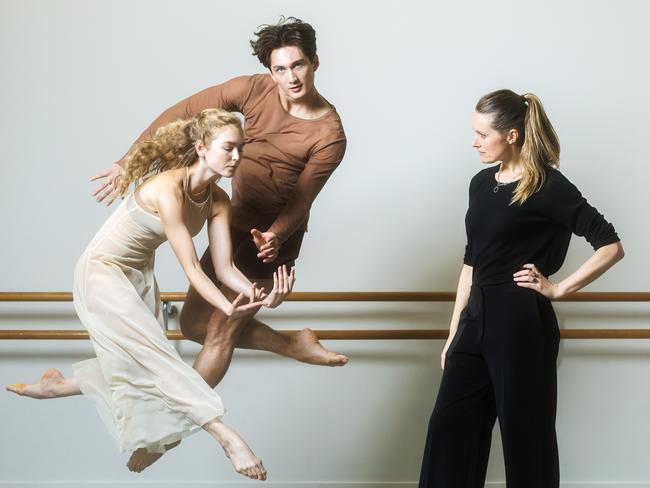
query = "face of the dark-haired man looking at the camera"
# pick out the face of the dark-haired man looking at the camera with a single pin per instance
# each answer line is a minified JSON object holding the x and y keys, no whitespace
{"x":293,"y":72}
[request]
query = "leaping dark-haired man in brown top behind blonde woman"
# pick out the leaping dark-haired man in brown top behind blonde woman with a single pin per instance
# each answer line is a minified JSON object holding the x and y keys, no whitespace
{"x":294,"y":141}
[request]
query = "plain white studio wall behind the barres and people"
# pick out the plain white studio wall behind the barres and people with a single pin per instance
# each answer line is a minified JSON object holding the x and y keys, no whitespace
{"x":80,"y":79}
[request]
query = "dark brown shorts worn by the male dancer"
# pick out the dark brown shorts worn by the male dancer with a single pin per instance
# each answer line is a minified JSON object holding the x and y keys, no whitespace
{"x":245,"y":256}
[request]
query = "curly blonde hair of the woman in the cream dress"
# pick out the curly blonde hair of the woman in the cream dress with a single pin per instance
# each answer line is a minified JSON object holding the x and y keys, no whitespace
{"x":173,"y":146}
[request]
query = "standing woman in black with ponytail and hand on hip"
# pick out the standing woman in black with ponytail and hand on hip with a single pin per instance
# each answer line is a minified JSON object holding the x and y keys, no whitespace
{"x":500,"y":358}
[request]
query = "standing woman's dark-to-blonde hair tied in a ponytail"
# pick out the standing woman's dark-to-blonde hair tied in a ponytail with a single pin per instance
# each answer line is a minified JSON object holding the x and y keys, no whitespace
{"x":540,"y":146}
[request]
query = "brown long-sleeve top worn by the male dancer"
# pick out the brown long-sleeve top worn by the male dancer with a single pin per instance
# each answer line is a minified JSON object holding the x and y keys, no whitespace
{"x":286,"y":160}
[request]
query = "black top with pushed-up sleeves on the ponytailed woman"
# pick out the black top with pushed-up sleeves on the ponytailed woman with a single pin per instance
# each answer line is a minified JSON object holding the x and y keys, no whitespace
{"x":502,"y":237}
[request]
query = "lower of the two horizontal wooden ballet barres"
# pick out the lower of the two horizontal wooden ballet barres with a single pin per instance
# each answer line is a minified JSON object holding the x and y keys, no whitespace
{"x":377,"y":334}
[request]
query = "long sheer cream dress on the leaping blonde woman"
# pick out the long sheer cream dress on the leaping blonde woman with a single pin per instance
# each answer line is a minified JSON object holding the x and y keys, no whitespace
{"x":144,"y":392}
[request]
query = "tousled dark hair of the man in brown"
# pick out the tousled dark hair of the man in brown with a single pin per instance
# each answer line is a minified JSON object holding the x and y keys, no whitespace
{"x":287,"y":32}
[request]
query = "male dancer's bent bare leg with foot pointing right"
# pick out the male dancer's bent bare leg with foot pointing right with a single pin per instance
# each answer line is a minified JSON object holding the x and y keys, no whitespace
{"x":197,"y":318}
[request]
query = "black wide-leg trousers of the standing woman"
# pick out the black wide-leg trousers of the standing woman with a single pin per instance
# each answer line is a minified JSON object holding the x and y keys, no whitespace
{"x":500,"y":364}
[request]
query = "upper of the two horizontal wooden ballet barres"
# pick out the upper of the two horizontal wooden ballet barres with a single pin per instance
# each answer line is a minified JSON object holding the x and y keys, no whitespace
{"x":349,"y":296}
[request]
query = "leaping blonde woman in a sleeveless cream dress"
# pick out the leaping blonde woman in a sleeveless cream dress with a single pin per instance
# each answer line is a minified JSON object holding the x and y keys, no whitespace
{"x":147,"y":395}
